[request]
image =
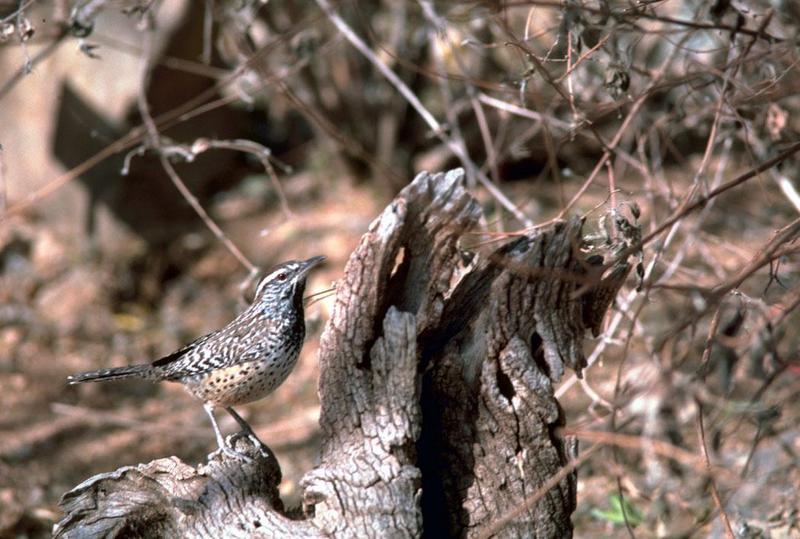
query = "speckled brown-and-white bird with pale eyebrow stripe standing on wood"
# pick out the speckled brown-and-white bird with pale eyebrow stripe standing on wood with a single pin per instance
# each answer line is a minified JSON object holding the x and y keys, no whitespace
{"x":242,"y":362}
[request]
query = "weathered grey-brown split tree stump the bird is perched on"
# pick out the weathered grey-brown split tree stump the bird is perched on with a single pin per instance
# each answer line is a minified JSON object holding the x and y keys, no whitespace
{"x":436,"y":386}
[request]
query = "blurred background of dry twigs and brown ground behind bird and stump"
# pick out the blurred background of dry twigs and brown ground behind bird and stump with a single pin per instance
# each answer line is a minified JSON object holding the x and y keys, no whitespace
{"x":290,"y":125}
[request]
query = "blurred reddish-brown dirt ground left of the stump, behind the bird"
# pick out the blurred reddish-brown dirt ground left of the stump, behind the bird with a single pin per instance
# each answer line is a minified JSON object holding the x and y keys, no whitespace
{"x":62,"y":314}
